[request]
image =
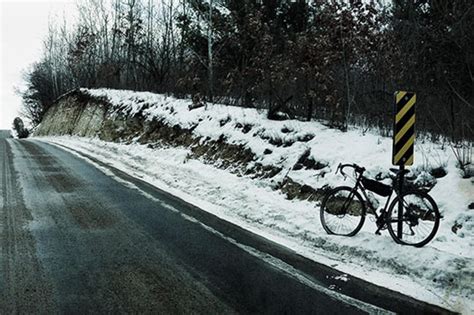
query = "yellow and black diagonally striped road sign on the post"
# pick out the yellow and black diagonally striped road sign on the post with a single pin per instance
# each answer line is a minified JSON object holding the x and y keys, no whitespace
{"x":404,"y":128}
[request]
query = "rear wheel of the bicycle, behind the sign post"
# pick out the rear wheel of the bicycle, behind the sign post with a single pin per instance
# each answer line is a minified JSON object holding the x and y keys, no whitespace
{"x":416,"y":222}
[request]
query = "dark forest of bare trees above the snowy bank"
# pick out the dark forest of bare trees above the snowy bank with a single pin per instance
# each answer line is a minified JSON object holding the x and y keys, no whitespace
{"x":333,"y":60}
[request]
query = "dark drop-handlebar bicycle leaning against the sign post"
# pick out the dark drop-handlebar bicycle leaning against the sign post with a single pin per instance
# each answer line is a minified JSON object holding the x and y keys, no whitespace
{"x":412,"y":218}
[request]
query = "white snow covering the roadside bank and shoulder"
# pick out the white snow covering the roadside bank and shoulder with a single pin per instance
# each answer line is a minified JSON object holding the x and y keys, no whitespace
{"x":440,"y":273}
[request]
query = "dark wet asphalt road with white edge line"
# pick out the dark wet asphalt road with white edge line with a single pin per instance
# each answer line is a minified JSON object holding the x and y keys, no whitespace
{"x":74,"y":239}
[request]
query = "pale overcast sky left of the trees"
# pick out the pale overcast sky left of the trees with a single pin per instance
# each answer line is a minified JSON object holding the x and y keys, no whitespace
{"x":24,"y":25}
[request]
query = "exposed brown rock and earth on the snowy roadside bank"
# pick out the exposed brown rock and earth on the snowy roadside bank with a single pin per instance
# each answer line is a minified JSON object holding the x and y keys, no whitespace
{"x":77,"y":113}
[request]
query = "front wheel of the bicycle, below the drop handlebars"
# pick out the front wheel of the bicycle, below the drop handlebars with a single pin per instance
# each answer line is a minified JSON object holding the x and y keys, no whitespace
{"x":342,"y":212}
